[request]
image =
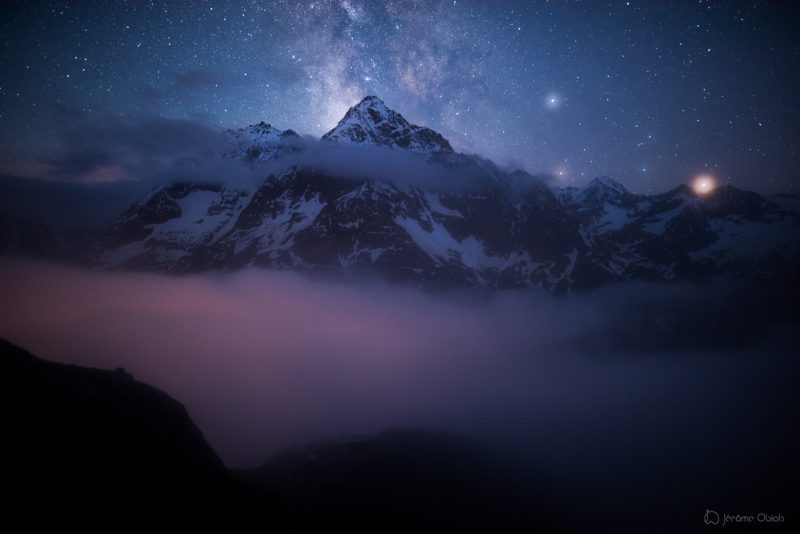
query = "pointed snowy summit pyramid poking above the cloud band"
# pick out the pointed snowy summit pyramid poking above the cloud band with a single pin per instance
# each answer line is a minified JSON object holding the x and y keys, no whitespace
{"x":371,"y":122}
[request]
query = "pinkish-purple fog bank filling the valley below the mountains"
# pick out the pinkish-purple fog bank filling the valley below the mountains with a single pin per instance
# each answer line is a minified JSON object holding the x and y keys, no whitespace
{"x":616,"y":399}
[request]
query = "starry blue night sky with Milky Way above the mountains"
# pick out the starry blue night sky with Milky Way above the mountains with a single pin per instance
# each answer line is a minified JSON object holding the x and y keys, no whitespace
{"x":649,"y":93}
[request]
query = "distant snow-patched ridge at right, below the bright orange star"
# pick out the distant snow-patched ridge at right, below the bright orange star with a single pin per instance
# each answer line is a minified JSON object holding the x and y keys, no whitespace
{"x":683,"y":235}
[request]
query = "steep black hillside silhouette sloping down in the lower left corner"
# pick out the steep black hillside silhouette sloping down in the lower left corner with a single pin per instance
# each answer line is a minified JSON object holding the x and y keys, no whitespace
{"x":98,"y":451}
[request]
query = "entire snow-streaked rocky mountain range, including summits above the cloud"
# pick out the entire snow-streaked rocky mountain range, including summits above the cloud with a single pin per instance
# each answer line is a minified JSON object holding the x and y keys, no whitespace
{"x":495,"y":229}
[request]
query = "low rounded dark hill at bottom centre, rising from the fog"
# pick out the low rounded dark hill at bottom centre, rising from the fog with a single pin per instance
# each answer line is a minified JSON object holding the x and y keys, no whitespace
{"x":402,"y":480}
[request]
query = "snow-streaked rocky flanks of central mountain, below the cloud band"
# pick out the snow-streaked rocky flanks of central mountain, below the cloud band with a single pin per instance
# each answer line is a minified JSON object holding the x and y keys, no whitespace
{"x":307,"y":220}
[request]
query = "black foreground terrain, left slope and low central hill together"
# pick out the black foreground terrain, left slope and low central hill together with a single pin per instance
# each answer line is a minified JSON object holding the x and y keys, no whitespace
{"x":96,"y":450}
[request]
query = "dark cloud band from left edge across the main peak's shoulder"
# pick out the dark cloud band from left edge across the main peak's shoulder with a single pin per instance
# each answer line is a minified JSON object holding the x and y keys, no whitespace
{"x":106,"y":162}
